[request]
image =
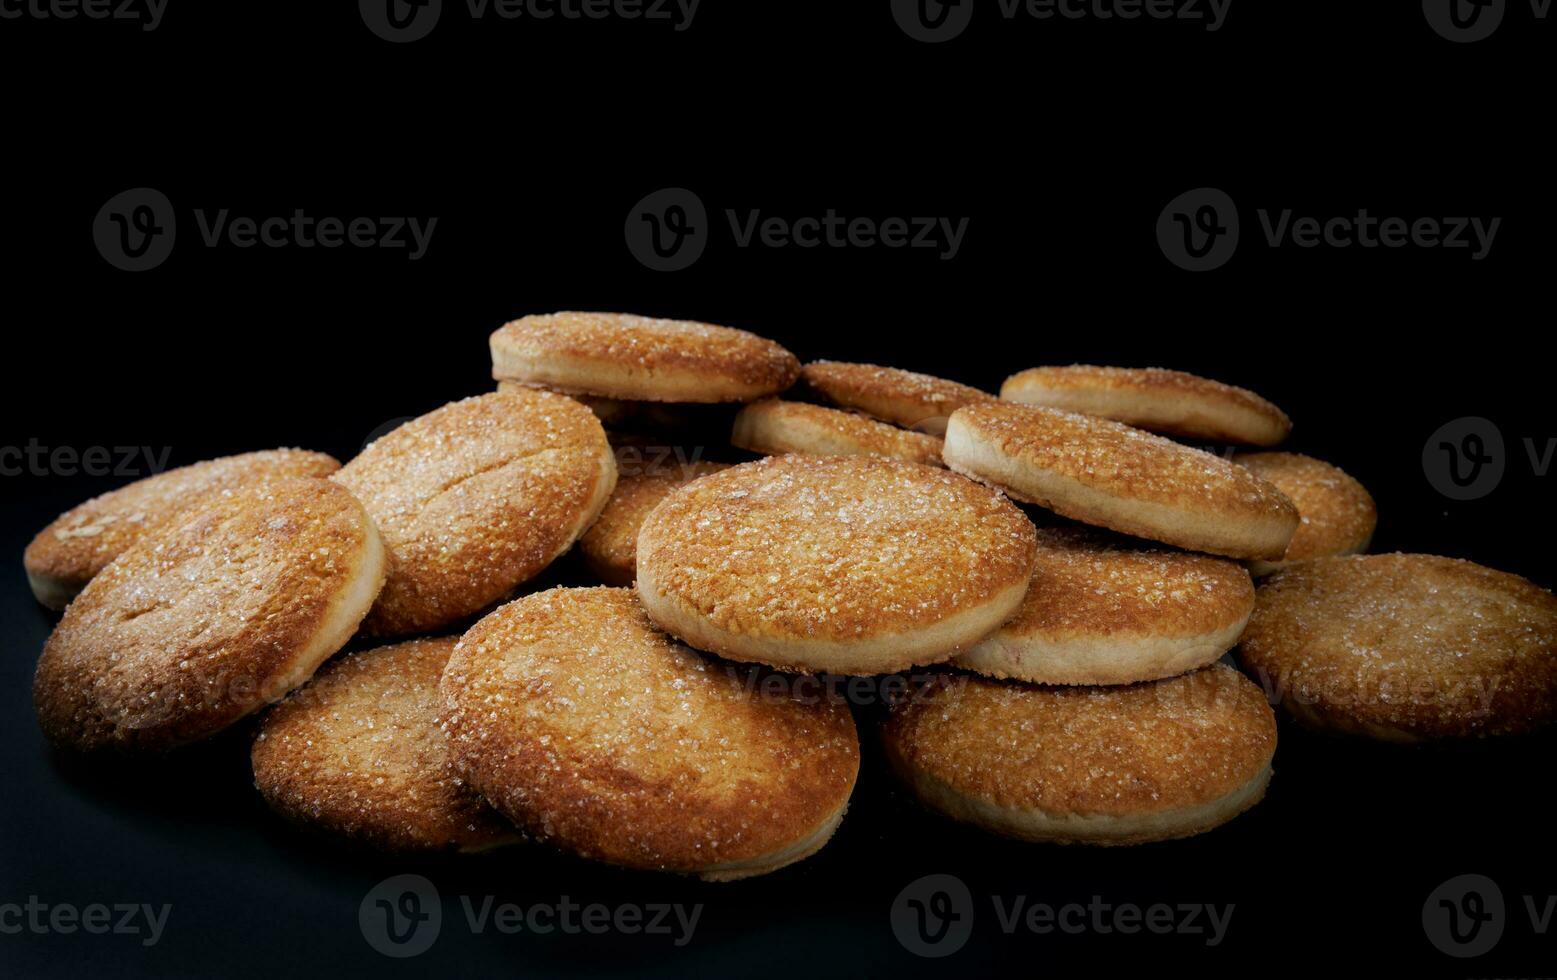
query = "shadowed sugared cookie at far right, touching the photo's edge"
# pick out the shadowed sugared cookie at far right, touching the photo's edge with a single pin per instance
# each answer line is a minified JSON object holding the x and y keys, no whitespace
{"x":1407,"y":647}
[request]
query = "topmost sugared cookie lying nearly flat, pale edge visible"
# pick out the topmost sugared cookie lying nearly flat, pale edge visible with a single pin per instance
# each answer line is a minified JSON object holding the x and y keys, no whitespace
{"x":619,"y":356}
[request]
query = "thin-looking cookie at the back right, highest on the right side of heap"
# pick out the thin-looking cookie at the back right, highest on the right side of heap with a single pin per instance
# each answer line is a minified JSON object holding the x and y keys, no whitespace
{"x":1155,"y":398}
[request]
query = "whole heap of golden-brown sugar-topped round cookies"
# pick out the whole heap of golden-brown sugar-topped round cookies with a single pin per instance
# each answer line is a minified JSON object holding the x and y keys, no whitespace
{"x":1056,"y":565}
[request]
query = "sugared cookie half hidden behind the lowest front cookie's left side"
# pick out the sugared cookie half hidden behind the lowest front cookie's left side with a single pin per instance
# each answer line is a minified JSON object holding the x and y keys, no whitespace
{"x":359,"y":753}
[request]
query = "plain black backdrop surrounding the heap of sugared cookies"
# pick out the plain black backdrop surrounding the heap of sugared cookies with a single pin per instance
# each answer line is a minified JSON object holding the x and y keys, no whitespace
{"x":1061,"y":143}
